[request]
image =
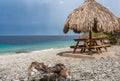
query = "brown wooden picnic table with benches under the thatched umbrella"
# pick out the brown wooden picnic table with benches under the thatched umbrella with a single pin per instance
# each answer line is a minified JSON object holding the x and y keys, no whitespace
{"x":90,"y":44}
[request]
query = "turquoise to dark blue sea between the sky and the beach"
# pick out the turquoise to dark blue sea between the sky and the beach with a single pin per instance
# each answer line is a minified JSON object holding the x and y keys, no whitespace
{"x":18,"y":44}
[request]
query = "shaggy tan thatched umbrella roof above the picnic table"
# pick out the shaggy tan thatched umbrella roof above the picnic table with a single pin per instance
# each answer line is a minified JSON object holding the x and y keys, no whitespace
{"x":91,"y":16}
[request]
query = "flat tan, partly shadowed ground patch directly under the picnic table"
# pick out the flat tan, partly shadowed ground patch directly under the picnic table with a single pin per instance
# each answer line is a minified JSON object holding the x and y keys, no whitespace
{"x":85,"y":55}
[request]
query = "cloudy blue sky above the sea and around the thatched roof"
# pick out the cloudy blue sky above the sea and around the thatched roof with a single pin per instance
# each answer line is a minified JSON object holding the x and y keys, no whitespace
{"x":41,"y":17}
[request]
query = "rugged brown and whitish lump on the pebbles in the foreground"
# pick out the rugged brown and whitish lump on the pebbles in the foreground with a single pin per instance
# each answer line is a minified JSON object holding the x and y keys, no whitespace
{"x":41,"y":72}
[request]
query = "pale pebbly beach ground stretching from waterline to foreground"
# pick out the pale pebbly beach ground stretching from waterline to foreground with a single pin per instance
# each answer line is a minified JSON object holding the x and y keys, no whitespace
{"x":15,"y":66}
